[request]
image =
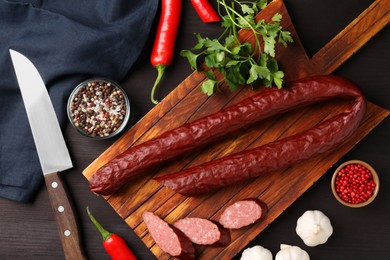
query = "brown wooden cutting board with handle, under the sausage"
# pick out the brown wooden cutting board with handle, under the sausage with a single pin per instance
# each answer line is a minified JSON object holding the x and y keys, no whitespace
{"x":278,"y":189}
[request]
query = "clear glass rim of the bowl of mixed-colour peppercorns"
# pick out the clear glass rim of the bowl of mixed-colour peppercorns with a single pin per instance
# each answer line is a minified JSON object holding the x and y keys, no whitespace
{"x":106,"y":80}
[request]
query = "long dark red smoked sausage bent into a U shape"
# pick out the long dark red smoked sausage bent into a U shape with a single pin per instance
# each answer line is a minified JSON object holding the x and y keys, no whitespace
{"x":196,"y":134}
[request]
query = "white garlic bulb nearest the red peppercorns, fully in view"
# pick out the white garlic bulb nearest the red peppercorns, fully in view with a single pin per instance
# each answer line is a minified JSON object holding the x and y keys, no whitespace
{"x":314,"y":228}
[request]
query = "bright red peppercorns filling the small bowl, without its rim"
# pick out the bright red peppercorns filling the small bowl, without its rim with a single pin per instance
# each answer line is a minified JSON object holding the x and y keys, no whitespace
{"x":354,"y":183}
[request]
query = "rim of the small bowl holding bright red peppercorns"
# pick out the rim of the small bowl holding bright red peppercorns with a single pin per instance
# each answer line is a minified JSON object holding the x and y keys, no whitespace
{"x":374,"y":176}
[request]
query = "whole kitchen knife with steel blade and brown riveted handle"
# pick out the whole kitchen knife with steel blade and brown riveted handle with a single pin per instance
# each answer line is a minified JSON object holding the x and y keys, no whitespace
{"x":52,"y":151}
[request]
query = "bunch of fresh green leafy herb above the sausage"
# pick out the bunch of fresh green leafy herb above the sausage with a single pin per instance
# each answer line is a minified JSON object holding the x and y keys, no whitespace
{"x":240,"y":63}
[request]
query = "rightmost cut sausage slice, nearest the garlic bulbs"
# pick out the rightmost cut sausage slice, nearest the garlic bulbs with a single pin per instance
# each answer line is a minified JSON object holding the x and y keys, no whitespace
{"x":243,"y":213}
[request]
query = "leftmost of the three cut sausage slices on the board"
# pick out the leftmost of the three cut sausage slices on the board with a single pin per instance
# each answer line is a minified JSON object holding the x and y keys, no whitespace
{"x":170,"y":239}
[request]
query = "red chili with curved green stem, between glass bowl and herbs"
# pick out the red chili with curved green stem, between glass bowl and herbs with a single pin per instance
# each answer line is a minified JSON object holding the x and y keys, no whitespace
{"x":164,"y":43}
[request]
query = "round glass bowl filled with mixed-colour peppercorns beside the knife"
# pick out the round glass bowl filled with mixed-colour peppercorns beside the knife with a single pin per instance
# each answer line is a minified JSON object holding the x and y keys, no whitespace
{"x":98,"y":108}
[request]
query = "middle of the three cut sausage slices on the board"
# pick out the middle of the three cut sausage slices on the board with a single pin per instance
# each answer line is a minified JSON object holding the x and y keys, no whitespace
{"x":203,"y":231}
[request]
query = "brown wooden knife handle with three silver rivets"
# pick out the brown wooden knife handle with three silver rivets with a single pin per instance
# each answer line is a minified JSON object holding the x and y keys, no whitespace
{"x":65,"y":217}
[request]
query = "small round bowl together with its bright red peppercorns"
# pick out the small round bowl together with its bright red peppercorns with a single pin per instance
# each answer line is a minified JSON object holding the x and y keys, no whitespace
{"x":355,"y":184}
